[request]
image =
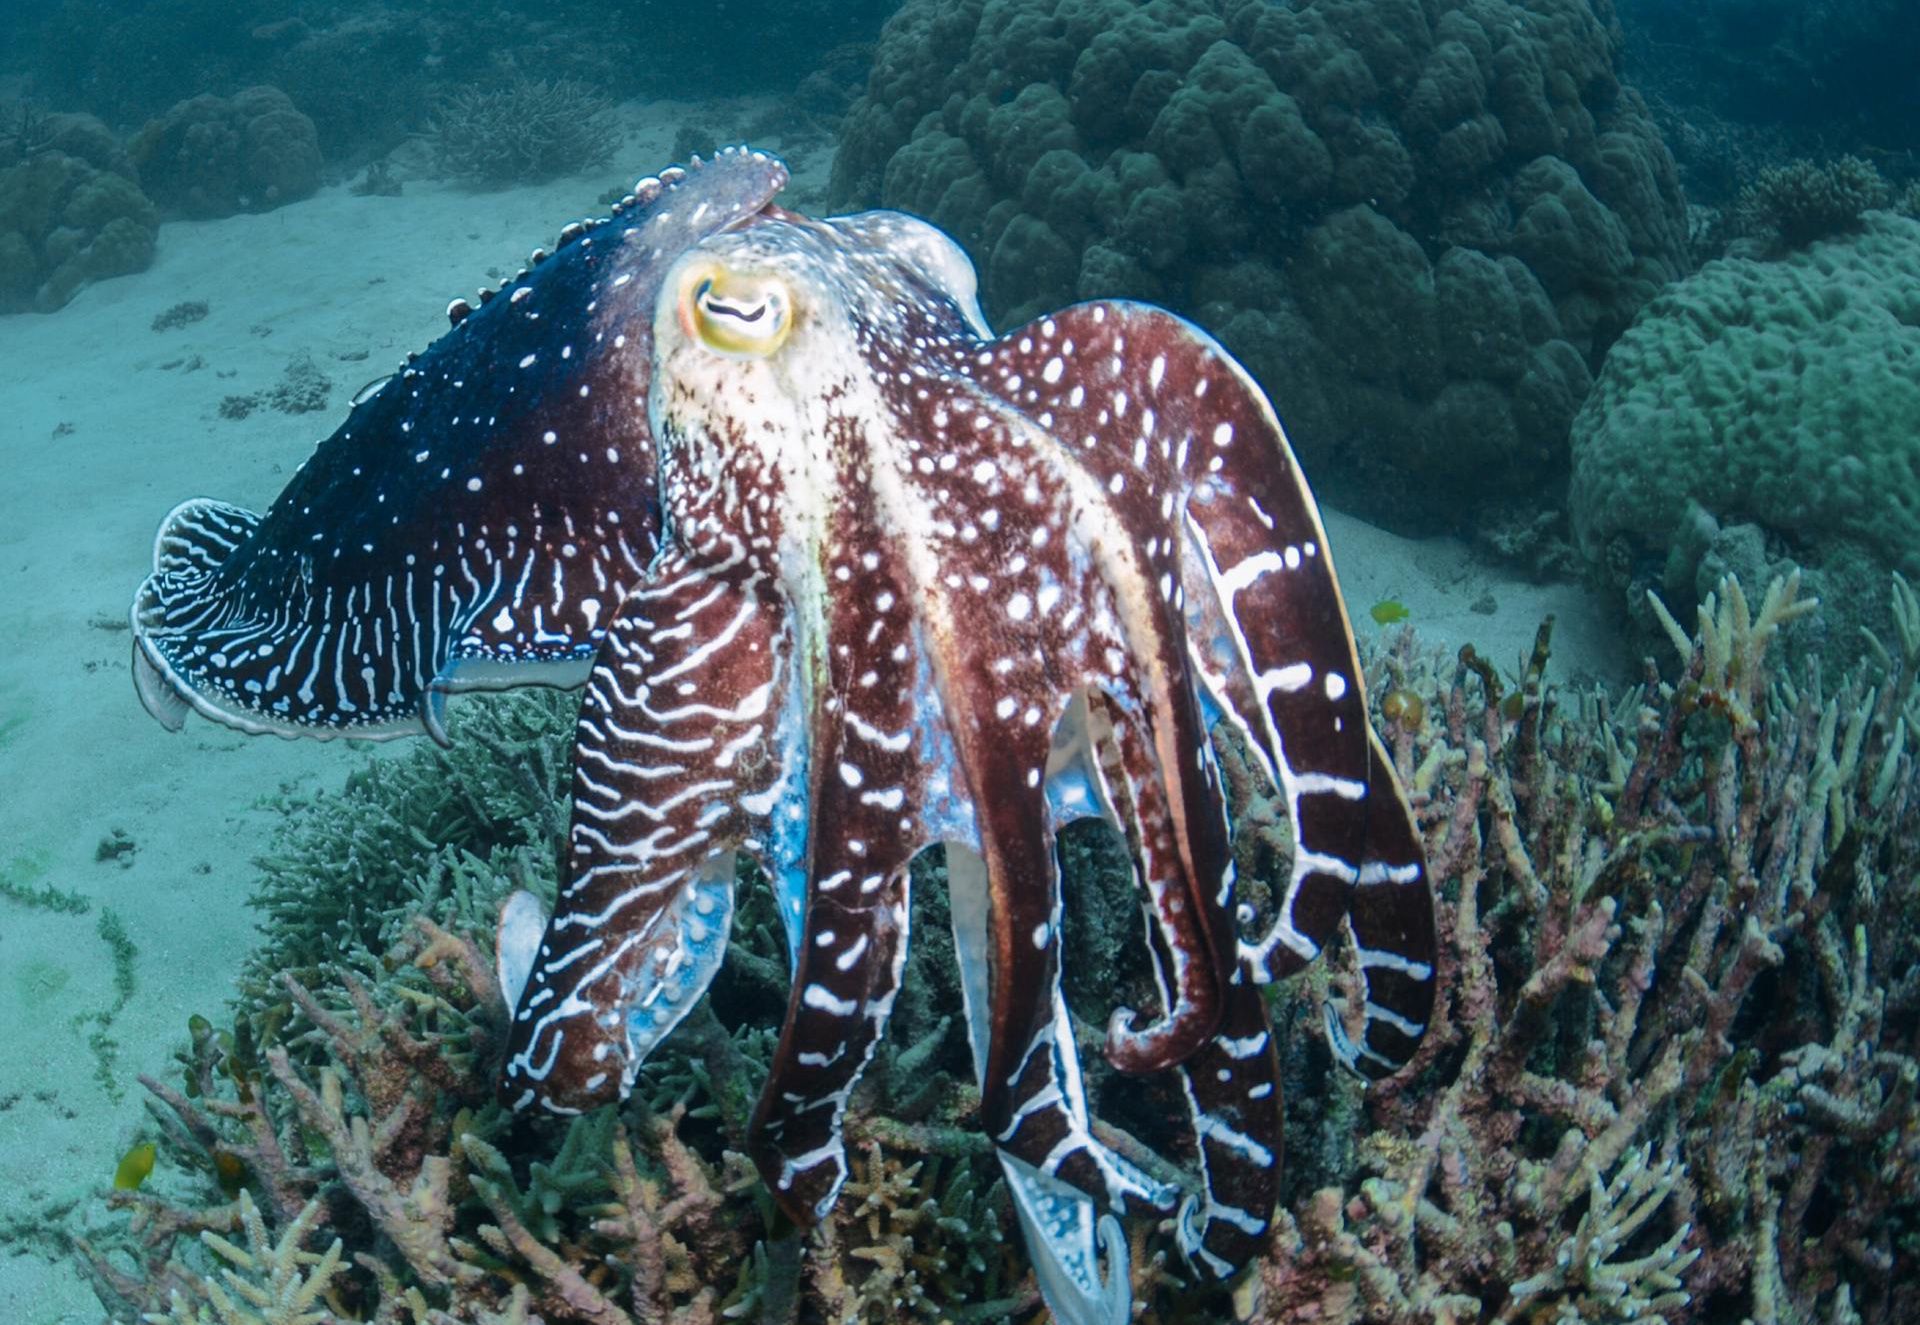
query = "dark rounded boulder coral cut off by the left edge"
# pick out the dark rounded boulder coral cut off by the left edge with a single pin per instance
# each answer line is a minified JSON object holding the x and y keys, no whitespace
{"x":70,"y":214}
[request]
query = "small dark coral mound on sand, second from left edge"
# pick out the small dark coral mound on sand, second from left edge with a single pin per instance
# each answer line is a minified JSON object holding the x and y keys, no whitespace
{"x":214,"y":157}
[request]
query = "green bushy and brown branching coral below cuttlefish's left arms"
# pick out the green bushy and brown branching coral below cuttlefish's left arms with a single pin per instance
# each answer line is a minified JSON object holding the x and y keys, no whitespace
{"x":354,"y":1097}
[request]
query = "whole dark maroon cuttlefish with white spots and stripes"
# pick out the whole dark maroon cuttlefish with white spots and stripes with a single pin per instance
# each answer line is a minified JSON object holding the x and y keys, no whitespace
{"x":850,"y":579}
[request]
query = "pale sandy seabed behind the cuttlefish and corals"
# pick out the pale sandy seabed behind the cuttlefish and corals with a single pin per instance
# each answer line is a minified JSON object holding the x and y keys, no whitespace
{"x":105,"y":431}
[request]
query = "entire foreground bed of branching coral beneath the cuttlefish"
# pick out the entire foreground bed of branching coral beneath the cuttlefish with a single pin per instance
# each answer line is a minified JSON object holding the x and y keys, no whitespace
{"x":1671,"y":1076}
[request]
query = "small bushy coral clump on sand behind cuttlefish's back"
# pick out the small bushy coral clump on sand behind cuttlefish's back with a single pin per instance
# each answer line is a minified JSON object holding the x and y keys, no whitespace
{"x":523,"y":133}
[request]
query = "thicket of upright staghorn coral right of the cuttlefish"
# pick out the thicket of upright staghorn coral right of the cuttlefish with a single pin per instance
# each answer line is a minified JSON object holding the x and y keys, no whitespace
{"x":1660,"y":934}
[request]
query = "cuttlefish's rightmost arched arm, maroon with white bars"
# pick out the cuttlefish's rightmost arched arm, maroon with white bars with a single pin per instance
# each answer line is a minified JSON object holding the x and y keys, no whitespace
{"x":1266,"y":625}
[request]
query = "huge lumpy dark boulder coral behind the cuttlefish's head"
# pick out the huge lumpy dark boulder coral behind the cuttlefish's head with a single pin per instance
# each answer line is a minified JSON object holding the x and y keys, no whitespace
{"x":1420,"y":222}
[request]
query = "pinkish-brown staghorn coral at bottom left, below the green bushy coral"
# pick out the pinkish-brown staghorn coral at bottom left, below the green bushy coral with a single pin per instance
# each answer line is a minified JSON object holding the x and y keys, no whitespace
{"x":623,"y":1222}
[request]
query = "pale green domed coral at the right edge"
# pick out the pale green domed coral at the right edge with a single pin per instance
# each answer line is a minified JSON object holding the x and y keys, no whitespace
{"x":1783,"y":395}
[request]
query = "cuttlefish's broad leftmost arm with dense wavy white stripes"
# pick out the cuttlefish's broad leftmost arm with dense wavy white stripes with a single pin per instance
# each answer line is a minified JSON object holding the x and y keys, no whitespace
{"x":679,"y":763}
